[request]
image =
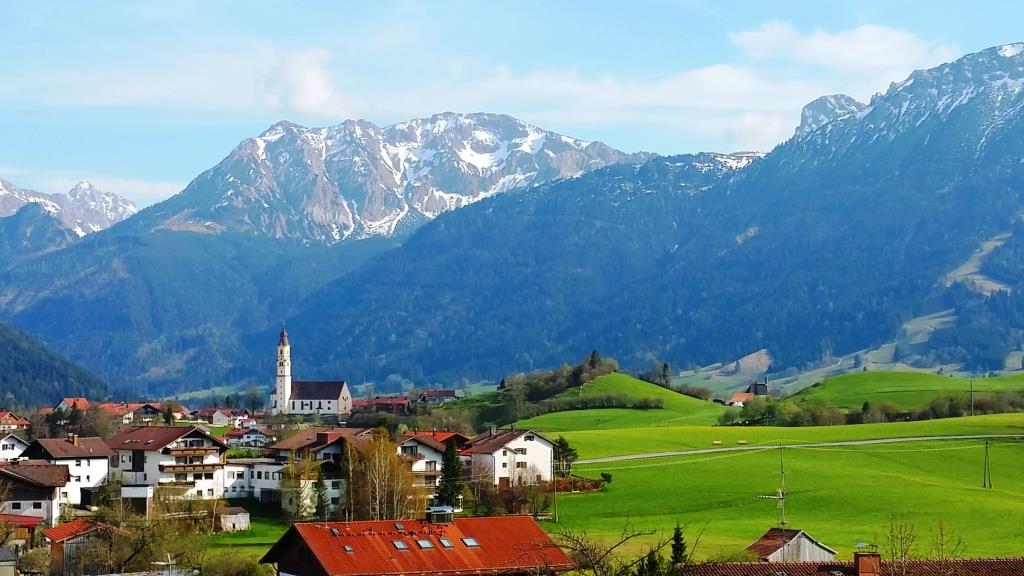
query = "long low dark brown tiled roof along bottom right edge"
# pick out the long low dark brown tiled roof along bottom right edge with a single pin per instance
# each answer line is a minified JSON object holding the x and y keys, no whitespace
{"x":964,"y":567}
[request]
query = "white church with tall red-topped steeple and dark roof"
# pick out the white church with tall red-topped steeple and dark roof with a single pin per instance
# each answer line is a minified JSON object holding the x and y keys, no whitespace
{"x":306,"y":397}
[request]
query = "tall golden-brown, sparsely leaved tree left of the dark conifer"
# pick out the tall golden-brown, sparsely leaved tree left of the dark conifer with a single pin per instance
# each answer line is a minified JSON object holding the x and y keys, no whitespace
{"x":382,"y":486}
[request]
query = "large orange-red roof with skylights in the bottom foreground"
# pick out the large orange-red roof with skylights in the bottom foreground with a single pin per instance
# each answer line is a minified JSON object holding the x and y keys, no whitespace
{"x":513,"y":545}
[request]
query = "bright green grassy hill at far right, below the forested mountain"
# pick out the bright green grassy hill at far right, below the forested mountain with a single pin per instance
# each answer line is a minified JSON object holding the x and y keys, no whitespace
{"x":906,"y":390}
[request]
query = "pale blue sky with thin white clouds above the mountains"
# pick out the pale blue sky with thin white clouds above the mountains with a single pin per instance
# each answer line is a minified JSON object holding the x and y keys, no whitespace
{"x":140,"y":98}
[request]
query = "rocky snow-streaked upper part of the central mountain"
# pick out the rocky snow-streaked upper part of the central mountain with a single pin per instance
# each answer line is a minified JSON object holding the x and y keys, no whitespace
{"x":356,"y":180}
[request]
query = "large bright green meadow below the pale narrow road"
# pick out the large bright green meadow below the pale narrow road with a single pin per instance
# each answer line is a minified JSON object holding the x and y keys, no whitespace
{"x":840,"y":496}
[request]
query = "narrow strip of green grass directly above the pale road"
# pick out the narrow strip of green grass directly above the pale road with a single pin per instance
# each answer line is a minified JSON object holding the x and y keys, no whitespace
{"x":593,"y":444}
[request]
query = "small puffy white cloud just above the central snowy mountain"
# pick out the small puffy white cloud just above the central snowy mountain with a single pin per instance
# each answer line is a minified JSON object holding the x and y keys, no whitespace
{"x":304,"y":84}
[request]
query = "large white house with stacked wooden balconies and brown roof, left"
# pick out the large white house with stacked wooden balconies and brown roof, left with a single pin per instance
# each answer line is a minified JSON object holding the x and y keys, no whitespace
{"x":183,"y":462}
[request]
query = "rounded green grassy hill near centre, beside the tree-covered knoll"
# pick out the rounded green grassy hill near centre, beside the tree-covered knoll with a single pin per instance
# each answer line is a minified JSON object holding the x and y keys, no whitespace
{"x":677,"y":410}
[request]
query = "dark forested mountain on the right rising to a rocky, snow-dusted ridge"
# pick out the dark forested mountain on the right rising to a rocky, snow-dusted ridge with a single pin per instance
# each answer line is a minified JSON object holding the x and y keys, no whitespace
{"x":826,"y":246}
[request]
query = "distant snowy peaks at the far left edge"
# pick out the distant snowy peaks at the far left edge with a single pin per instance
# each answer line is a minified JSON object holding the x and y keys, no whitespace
{"x":83,"y":210}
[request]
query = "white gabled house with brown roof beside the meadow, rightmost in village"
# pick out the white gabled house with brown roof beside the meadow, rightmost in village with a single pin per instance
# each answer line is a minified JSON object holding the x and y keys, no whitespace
{"x":511,"y":457}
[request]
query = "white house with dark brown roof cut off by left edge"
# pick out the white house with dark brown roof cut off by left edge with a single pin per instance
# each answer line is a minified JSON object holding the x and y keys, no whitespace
{"x":33,"y":488}
